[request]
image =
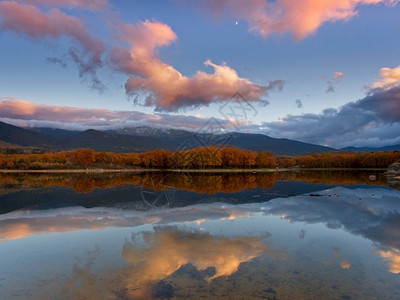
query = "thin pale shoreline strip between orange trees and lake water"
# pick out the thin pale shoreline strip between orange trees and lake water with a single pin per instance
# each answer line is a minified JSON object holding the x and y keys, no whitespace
{"x":265,"y":170}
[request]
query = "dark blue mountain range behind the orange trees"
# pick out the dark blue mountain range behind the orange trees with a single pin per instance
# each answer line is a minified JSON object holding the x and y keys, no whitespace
{"x":141,"y":139}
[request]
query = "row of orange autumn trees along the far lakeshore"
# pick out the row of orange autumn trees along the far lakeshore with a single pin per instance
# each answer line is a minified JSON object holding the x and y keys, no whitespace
{"x":198,"y":158}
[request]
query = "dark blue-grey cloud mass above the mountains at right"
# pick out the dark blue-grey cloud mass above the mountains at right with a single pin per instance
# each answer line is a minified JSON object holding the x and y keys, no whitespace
{"x":373,"y":120}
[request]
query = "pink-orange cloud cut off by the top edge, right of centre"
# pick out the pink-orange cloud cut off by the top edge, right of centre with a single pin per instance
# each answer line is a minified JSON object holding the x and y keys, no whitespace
{"x":301,"y":18}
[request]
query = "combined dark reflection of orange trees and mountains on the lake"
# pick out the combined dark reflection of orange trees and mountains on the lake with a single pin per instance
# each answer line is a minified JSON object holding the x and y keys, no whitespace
{"x":156,"y":190}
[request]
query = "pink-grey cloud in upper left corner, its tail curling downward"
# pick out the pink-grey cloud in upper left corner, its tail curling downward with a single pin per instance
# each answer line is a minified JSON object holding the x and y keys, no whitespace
{"x":31,"y":21}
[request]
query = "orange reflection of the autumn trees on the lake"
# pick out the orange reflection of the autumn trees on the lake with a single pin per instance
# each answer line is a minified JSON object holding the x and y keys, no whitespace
{"x":210,"y":183}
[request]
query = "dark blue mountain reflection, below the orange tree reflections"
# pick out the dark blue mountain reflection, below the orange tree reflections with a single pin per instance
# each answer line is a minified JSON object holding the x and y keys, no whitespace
{"x":135,"y":197}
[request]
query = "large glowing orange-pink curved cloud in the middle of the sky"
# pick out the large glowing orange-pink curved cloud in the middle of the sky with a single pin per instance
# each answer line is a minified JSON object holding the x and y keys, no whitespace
{"x":163,"y":85}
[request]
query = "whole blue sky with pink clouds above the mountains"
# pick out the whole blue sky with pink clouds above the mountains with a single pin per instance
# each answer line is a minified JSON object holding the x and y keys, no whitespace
{"x":324,"y":72}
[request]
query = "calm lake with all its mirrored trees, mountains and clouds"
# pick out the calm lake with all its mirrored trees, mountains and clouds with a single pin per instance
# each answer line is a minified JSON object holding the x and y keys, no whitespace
{"x":283,"y":235}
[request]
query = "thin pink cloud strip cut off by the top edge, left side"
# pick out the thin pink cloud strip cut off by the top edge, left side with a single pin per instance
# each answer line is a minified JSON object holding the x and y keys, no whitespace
{"x":92,"y":5}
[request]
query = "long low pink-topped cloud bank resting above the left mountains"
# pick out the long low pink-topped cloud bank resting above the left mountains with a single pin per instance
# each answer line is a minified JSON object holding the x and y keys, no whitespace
{"x":26,"y":114}
